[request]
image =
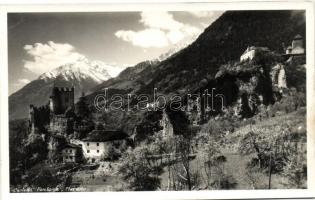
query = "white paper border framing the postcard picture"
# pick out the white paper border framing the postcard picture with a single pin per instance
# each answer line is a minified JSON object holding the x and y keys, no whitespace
{"x":179,"y":6}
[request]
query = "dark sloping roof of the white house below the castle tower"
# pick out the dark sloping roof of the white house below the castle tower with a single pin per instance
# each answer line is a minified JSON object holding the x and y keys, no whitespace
{"x":105,"y":135}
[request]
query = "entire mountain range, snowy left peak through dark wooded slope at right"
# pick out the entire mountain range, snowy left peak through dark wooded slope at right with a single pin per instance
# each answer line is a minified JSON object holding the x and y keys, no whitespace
{"x":177,"y":72}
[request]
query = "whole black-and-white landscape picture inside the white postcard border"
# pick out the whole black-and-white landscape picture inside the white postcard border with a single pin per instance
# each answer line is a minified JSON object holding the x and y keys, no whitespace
{"x":157,"y":100}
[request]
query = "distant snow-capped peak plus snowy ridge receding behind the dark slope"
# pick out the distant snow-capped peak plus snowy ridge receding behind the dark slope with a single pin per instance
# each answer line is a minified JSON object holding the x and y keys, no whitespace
{"x":86,"y":76}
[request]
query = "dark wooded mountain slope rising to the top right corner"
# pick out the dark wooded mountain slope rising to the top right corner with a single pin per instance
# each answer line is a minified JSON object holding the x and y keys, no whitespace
{"x":222,"y":42}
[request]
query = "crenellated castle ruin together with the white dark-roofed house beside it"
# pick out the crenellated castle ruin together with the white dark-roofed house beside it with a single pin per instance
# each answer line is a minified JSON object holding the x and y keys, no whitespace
{"x":62,"y":118}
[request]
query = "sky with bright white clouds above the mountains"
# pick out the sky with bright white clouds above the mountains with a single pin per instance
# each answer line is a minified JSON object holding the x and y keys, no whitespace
{"x":40,"y":42}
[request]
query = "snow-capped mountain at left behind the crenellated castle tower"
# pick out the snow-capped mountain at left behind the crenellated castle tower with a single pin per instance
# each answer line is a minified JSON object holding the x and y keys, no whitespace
{"x":82,"y":74}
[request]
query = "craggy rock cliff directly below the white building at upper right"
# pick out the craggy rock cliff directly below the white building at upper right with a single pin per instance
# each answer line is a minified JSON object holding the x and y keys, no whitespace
{"x":260,"y":81}
